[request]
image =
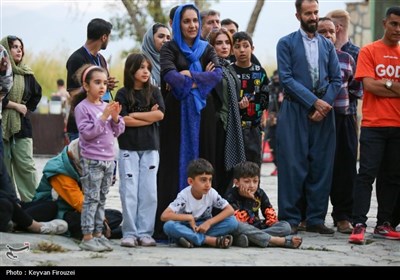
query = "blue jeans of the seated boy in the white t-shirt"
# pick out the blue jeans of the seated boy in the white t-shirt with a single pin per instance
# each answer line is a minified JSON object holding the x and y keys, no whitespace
{"x":177,"y":229}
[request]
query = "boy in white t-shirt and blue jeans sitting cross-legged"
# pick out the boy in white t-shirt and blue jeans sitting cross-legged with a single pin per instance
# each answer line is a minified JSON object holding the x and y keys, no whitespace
{"x":188,"y":218}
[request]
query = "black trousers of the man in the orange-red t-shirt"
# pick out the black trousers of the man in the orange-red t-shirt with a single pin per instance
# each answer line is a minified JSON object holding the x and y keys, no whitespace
{"x":377,"y":145}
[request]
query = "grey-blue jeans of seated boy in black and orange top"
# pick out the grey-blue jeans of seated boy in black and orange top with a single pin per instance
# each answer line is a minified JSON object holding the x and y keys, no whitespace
{"x":261,"y":237}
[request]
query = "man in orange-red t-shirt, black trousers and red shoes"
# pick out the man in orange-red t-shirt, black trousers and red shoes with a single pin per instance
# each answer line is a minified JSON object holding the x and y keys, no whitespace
{"x":378,"y":67}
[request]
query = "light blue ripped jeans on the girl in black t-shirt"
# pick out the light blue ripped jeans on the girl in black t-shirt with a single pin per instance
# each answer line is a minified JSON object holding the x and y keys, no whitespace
{"x":138,"y":191}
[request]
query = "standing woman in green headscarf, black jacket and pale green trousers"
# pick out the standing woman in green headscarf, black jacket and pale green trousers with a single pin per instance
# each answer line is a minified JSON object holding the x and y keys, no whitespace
{"x":17,"y":128}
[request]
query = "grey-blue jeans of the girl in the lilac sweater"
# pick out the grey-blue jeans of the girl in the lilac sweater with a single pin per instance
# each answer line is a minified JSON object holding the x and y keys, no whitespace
{"x":96,"y":181}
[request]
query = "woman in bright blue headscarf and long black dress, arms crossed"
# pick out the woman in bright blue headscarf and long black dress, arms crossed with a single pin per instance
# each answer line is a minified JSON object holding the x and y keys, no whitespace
{"x":190,"y":67}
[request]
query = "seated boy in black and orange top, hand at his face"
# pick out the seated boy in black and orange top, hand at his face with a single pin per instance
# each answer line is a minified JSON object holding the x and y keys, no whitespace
{"x":247,"y":198}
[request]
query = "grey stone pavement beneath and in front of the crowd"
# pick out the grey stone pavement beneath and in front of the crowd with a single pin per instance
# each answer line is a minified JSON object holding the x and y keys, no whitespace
{"x":316,"y":250}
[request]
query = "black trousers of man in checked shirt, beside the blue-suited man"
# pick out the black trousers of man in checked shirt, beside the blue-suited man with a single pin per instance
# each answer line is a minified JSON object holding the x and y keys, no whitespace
{"x":345,"y":167}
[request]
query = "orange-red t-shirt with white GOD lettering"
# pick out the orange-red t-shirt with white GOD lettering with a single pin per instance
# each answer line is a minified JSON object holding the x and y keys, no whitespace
{"x":379,"y":61}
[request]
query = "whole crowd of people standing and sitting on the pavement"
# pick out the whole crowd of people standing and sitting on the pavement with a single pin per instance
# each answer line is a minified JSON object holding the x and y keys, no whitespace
{"x":188,"y":121}
